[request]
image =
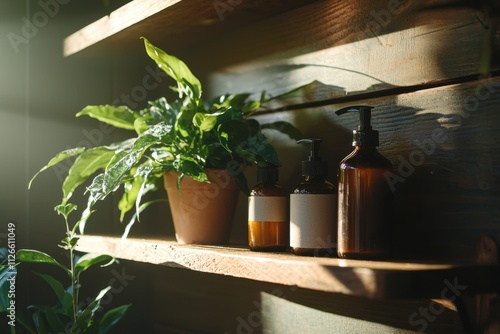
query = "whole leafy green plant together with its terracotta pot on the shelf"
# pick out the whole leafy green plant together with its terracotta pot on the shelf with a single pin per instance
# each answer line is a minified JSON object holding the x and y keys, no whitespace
{"x":184,"y":143}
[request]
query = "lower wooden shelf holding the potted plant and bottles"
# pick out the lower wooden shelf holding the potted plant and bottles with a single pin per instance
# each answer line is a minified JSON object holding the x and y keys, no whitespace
{"x":371,"y":279}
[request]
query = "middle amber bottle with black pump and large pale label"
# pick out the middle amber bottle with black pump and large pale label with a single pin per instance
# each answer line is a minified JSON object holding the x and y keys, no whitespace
{"x":313,"y":209}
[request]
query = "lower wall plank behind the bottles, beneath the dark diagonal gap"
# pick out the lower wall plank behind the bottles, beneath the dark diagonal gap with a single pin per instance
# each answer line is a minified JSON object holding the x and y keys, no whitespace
{"x":443,"y":143}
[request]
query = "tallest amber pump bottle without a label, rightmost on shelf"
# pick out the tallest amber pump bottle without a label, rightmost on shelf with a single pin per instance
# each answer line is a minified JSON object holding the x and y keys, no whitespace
{"x":365,"y":198}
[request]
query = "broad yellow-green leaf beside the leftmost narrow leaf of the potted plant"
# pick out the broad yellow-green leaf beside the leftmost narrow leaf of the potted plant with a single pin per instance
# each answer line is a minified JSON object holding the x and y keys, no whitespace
{"x":84,"y":166}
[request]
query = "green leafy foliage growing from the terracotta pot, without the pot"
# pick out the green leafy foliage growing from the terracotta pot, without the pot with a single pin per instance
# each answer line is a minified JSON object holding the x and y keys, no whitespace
{"x":187,"y":136}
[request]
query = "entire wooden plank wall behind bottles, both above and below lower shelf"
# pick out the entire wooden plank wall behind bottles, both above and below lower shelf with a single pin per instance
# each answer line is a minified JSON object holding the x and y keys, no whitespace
{"x":418,"y":62}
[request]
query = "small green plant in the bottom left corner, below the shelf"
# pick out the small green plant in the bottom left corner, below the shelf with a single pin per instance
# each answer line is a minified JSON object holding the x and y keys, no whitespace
{"x":68,"y":314}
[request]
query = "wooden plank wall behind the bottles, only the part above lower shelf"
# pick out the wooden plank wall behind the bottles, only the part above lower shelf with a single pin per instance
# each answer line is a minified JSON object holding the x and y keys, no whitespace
{"x":418,"y":63}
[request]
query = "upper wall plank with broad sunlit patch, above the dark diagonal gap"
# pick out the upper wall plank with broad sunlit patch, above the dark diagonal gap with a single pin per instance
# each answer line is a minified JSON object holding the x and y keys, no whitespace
{"x":357,"y":47}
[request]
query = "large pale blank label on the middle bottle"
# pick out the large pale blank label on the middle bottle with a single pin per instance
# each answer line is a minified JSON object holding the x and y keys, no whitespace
{"x":313,"y":221}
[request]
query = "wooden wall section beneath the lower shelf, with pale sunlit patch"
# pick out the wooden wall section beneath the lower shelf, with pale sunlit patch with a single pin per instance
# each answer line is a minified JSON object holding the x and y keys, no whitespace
{"x":192,"y":302}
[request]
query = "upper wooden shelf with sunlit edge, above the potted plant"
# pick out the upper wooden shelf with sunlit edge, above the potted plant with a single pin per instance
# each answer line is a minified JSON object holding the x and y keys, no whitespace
{"x":176,"y":23}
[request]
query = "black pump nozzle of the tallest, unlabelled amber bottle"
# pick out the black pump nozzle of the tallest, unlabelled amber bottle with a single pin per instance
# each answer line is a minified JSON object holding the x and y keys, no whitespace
{"x":364,"y":135}
